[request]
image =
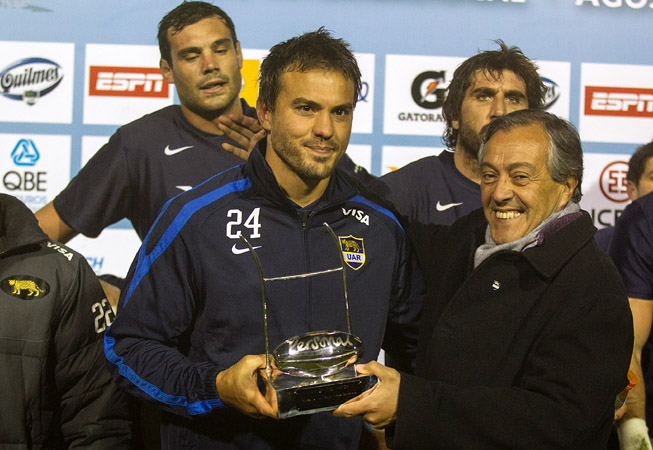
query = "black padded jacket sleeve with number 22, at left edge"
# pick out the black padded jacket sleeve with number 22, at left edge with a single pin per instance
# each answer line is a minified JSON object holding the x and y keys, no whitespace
{"x":93,"y":411}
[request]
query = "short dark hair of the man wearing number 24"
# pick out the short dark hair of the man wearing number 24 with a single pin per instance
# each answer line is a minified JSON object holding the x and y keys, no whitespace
{"x":314,"y":50}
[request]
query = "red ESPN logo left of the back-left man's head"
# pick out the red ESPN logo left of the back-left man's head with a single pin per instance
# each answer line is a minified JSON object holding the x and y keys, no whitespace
{"x":127,"y":82}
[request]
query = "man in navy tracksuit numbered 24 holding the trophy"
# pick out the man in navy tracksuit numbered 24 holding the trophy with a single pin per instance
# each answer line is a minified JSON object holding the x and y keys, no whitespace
{"x":189,"y":333}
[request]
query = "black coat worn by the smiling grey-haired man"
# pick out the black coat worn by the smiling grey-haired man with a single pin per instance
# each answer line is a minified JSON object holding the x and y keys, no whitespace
{"x":527,"y":350}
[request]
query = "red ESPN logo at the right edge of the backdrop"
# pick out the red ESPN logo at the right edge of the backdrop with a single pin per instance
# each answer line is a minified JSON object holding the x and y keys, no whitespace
{"x":623,"y":102}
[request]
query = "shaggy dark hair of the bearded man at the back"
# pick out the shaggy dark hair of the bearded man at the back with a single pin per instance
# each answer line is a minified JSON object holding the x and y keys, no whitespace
{"x":492,"y":63}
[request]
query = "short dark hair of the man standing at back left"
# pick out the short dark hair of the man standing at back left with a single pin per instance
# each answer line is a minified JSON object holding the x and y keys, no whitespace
{"x":186,"y":14}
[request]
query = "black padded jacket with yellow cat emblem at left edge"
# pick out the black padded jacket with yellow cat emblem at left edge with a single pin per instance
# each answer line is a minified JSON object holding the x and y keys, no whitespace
{"x":55,"y":391}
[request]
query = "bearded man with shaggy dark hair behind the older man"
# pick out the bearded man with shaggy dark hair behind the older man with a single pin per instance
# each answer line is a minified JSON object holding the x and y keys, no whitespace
{"x":440,"y":189}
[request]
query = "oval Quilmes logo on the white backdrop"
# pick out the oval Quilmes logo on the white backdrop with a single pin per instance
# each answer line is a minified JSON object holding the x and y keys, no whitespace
{"x":30,"y":79}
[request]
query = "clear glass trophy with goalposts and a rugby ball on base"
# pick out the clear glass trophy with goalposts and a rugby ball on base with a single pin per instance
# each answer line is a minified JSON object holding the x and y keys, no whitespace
{"x":316,"y":370}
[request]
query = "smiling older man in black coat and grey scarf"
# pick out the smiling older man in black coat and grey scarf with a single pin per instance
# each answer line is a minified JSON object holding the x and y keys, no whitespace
{"x":526,"y":334}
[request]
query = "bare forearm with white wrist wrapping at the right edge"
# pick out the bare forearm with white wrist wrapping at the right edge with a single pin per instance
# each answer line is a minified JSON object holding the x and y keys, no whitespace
{"x":633,"y":433}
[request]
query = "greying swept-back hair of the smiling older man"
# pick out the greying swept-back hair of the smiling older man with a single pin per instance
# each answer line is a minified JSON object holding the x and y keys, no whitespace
{"x":565,"y":156}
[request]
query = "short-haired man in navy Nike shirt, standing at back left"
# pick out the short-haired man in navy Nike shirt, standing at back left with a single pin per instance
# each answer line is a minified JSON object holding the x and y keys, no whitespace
{"x":149,"y":161}
